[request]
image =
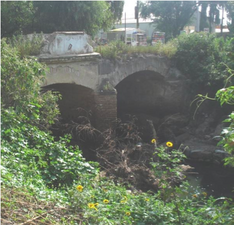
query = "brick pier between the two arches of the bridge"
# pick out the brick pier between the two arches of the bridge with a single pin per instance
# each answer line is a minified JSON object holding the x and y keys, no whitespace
{"x":105,"y":109}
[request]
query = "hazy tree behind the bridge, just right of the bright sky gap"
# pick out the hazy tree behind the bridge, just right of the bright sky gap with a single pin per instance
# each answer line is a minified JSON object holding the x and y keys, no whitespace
{"x":169,"y":17}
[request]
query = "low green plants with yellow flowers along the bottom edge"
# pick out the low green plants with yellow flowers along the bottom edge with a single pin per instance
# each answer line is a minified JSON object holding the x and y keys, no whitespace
{"x":100,"y":201}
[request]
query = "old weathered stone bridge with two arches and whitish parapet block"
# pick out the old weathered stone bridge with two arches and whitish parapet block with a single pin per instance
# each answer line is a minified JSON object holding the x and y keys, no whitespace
{"x":104,"y":89}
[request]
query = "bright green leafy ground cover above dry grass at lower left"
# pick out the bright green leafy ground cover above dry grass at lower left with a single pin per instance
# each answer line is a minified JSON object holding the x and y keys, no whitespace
{"x":28,"y":151}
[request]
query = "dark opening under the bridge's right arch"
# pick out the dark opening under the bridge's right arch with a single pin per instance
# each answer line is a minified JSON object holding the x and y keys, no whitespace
{"x":141,"y":92}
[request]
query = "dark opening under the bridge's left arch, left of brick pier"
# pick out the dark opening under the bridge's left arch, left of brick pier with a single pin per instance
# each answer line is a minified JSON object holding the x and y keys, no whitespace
{"x":77,"y":117}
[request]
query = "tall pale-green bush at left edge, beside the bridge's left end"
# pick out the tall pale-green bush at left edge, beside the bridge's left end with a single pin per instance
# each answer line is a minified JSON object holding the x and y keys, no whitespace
{"x":21,"y":85}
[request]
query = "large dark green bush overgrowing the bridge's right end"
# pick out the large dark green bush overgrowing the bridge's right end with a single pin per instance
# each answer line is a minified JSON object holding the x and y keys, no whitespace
{"x":202,"y":58}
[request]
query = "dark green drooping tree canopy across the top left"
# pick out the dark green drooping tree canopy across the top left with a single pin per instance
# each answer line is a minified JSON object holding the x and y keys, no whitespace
{"x":50,"y":16}
